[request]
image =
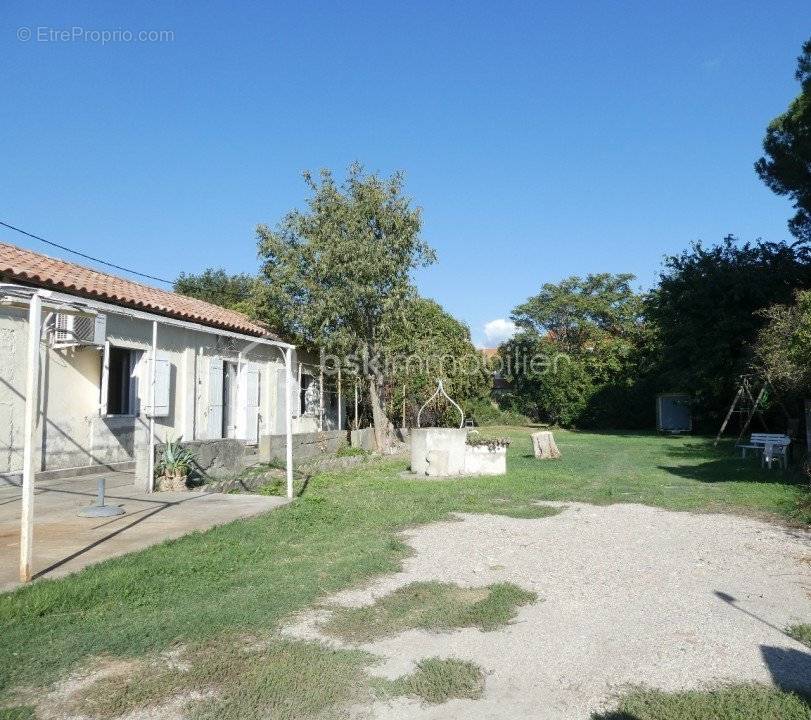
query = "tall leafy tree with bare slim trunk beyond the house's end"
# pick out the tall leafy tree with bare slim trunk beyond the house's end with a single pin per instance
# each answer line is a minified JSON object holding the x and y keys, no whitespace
{"x":337,"y":275}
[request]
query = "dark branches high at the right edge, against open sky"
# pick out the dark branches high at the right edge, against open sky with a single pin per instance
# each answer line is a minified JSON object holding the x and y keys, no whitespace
{"x":786,"y":164}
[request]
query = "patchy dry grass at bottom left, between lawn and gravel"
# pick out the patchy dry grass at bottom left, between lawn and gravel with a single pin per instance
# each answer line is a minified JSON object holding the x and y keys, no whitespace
{"x":238,"y":680}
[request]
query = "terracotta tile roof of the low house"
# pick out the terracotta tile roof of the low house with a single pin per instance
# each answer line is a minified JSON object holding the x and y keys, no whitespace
{"x":40,"y":270}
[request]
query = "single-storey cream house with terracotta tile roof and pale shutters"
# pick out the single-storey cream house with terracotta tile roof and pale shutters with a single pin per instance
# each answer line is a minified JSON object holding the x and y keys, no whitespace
{"x":216,"y":374}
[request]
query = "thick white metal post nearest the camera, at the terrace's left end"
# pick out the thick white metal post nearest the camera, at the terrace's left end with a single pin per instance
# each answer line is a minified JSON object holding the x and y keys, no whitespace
{"x":31,"y":378}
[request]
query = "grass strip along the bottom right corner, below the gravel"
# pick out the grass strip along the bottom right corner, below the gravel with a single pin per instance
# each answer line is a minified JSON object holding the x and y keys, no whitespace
{"x":742,"y":702}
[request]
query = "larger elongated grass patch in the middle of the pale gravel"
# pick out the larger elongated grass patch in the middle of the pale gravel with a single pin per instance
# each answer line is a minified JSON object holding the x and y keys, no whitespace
{"x":431,"y":606}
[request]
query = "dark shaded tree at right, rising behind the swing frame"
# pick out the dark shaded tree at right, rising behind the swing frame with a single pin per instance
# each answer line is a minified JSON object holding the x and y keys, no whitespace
{"x":705,"y":314}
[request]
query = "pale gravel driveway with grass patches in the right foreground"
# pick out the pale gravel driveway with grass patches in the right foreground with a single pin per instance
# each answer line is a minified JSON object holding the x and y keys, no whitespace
{"x":628,"y":594}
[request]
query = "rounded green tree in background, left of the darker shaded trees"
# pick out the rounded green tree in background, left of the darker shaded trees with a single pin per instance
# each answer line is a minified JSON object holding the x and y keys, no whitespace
{"x":591,"y":335}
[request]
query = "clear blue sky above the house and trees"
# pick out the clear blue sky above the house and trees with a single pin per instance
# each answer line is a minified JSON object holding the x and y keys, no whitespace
{"x":541,"y":139}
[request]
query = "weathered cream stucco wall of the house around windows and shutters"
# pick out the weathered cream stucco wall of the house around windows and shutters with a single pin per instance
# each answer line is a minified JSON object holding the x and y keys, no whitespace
{"x":71,"y":429}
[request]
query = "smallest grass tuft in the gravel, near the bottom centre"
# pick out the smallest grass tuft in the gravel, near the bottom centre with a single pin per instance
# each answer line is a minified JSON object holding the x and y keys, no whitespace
{"x":437,"y":680}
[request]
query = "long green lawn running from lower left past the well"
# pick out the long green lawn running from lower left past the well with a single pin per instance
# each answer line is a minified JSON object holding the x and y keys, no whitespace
{"x":250,"y":576}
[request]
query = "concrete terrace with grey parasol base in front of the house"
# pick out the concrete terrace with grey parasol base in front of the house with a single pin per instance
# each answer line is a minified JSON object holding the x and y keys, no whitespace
{"x":64,"y":542}
